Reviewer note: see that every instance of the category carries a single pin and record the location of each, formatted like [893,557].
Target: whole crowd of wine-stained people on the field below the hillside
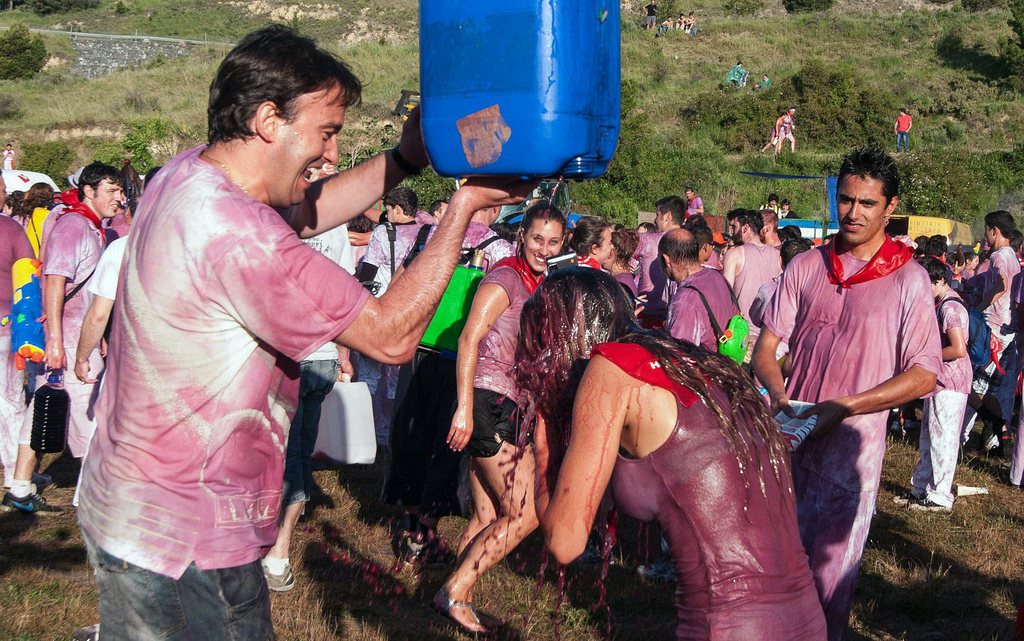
[600,369]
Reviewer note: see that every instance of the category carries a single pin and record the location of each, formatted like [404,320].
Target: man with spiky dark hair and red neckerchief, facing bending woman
[859,317]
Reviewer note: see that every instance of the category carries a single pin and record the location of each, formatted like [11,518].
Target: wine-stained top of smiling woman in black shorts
[497,352]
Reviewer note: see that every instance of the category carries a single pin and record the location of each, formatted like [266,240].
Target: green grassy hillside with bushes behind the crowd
[847,71]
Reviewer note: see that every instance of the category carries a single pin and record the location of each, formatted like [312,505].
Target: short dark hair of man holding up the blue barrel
[273,65]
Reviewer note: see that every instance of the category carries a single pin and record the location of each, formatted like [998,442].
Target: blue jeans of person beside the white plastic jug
[317,381]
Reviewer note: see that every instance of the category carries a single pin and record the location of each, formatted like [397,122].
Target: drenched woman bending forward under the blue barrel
[680,436]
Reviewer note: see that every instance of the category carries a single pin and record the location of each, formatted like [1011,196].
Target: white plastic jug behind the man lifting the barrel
[347,428]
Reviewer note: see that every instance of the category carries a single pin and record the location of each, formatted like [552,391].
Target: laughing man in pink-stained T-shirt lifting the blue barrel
[219,303]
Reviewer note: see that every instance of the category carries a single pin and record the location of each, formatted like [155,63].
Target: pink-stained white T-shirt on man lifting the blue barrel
[219,302]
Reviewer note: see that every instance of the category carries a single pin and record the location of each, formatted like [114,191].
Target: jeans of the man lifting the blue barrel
[136,605]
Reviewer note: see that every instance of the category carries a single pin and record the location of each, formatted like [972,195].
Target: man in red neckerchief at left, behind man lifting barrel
[74,245]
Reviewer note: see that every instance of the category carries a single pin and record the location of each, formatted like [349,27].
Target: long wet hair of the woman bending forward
[576,310]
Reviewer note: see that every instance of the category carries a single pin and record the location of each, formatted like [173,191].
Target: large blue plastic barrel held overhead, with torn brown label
[521,88]
